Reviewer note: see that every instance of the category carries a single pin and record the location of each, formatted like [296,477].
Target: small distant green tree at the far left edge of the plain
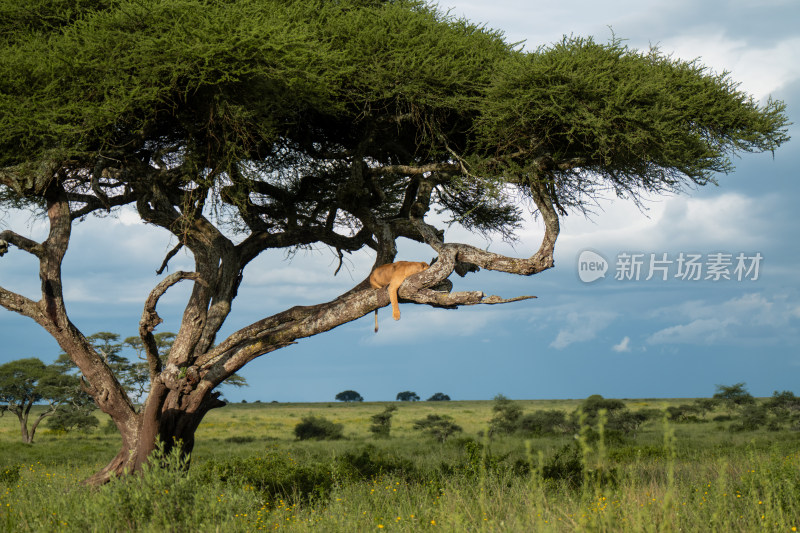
[26,382]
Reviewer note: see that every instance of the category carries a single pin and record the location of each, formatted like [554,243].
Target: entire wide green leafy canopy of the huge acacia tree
[271,85]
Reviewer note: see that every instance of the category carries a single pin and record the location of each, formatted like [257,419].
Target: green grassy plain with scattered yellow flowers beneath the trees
[248,474]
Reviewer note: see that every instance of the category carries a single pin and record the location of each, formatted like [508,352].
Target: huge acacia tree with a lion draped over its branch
[249,126]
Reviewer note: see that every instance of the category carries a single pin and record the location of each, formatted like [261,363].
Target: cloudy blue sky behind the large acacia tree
[606,321]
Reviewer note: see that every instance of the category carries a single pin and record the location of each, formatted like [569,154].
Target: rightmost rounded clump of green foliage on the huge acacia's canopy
[633,120]
